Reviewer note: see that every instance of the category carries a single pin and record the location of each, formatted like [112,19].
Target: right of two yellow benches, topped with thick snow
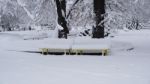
[91,46]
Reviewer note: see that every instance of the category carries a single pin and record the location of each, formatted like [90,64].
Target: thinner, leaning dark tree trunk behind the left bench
[61,9]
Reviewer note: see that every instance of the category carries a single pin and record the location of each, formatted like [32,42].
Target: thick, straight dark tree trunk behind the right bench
[99,10]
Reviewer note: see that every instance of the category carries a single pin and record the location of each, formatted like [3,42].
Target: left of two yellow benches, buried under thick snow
[57,46]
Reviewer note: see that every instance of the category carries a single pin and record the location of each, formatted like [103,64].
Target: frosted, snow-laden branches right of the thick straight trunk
[124,14]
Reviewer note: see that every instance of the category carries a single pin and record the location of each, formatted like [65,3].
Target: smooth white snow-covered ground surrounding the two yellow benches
[128,62]
